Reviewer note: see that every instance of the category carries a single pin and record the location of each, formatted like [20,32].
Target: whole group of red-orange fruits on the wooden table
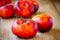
[25,28]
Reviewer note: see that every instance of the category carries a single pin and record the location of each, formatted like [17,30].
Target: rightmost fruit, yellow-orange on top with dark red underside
[43,21]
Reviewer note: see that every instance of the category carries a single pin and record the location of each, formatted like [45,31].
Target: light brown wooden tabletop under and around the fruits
[47,7]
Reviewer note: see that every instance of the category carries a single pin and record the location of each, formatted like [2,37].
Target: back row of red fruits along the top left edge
[23,8]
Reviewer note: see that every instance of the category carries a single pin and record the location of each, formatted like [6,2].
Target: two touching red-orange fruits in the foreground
[25,28]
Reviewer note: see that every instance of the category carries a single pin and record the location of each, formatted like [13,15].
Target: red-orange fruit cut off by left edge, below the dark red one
[6,11]
